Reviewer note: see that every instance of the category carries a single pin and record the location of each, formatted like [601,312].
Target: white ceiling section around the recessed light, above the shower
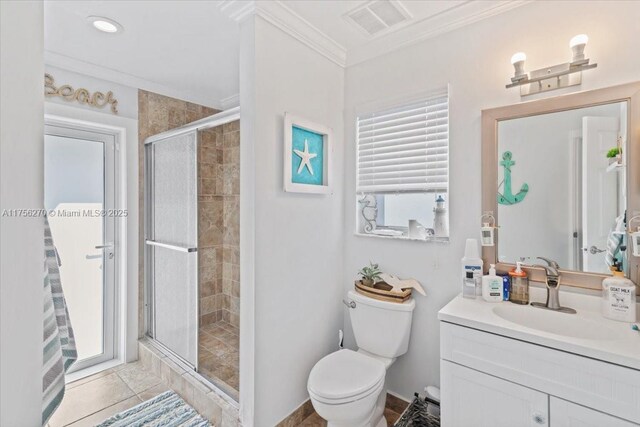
[178,47]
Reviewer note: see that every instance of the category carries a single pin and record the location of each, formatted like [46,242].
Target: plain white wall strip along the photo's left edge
[21,187]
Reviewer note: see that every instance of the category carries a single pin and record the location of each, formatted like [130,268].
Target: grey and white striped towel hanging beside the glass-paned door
[59,346]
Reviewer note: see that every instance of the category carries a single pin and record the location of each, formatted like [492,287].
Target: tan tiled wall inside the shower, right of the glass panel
[219,215]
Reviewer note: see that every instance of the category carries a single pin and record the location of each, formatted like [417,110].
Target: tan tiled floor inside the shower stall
[219,355]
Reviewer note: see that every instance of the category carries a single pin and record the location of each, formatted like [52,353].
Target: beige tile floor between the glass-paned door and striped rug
[93,399]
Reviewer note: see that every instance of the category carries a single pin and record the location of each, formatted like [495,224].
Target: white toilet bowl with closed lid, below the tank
[346,389]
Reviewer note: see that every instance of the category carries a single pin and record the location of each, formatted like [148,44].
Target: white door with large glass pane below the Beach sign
[79,183]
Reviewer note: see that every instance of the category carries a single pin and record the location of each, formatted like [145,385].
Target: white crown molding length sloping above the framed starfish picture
[279,15]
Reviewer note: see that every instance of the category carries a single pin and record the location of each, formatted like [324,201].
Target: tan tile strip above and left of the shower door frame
[157,113]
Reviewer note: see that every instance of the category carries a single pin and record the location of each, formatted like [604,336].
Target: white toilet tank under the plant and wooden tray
[381,328]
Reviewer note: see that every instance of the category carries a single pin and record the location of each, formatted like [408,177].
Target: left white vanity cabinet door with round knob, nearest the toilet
[473,399]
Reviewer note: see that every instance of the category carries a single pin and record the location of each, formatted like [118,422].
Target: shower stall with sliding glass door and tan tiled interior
[191,245]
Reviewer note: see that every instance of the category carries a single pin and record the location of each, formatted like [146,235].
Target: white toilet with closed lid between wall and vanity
[347,388]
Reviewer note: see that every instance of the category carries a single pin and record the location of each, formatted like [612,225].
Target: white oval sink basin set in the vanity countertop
[568,325]
